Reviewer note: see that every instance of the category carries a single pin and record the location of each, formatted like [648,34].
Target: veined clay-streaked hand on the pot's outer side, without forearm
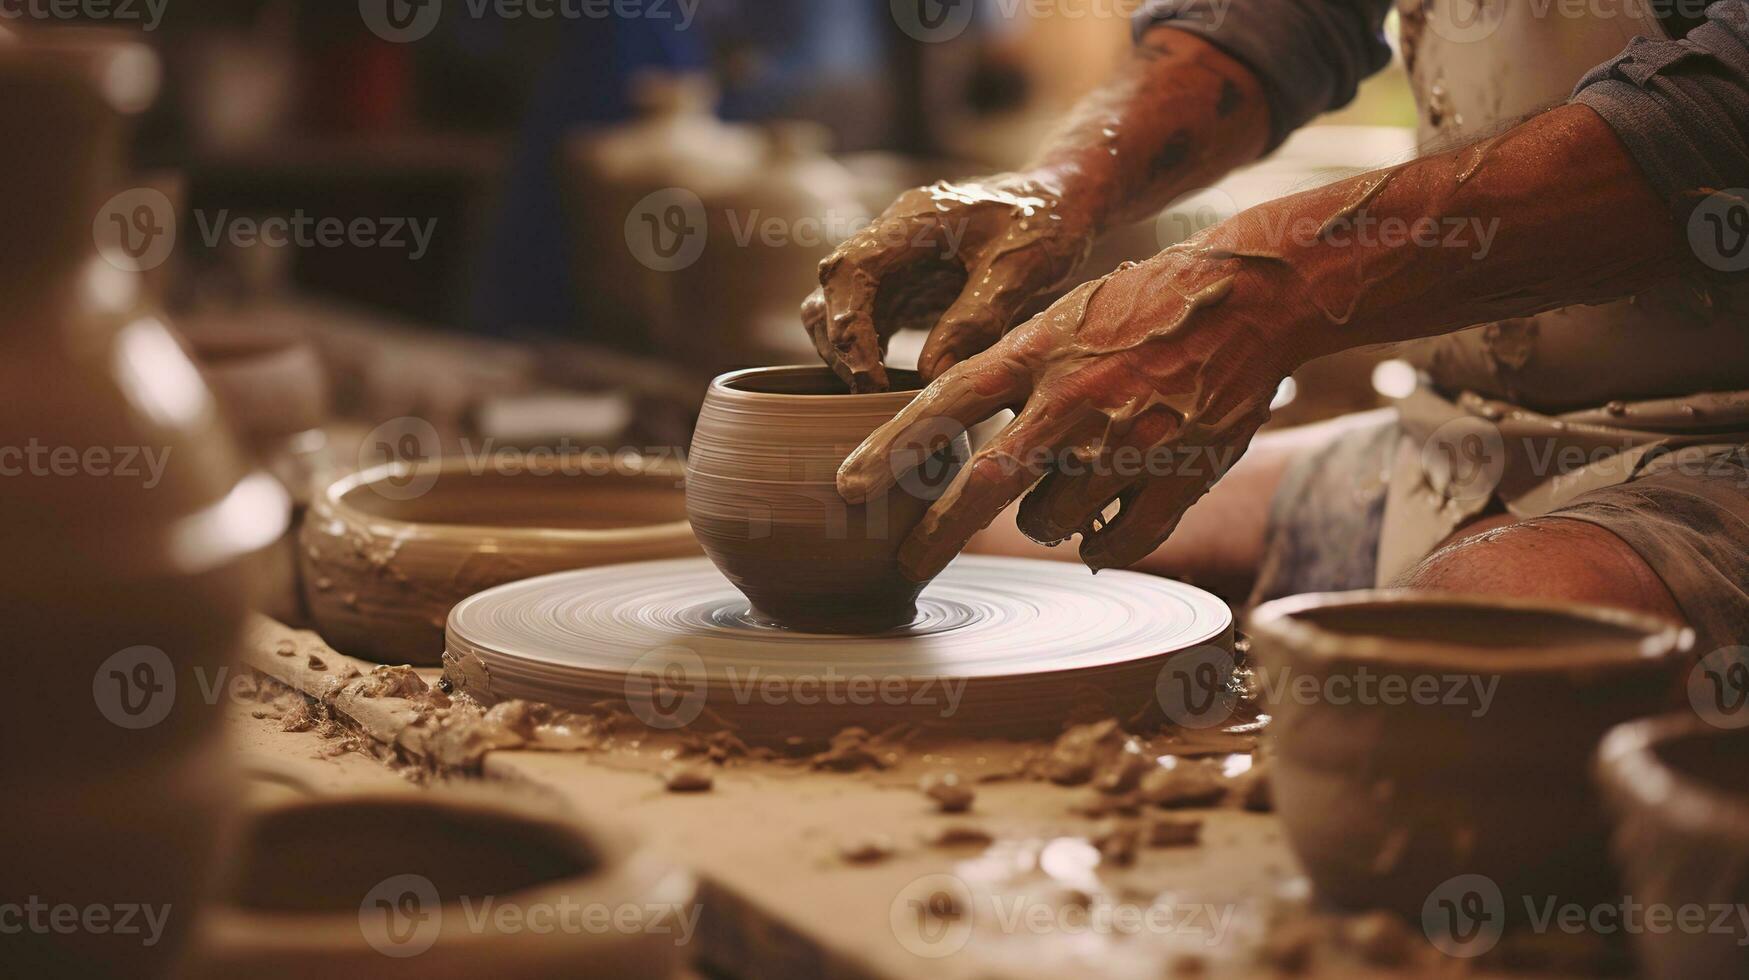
[1139,388]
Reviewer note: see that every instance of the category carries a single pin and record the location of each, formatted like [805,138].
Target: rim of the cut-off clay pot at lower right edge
[1636,776]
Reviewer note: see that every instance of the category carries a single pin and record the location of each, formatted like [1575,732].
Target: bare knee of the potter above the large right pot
[1547,559]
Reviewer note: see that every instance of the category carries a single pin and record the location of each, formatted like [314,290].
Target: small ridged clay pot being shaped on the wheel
[763,500]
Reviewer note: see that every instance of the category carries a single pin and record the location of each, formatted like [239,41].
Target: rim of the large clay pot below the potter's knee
[1643,638]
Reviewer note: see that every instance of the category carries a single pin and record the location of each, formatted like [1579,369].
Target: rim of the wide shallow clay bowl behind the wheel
[632,468]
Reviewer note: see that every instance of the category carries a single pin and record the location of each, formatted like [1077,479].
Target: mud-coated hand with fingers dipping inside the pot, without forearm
[959,260]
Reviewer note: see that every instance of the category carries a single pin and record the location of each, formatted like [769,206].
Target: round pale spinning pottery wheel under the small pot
[1000,647]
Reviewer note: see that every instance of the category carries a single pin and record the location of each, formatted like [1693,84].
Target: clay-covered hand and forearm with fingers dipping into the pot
[963,260]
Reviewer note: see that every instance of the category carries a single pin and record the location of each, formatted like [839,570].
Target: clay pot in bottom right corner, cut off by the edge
[1680,794]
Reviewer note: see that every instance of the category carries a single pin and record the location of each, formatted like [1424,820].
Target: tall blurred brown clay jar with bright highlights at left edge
[125,580]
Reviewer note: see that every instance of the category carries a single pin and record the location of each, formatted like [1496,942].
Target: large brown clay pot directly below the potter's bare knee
[1398,771]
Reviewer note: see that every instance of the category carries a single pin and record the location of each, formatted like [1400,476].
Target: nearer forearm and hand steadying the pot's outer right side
[1173,363]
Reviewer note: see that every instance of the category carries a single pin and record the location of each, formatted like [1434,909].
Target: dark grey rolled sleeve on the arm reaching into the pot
[1311,55]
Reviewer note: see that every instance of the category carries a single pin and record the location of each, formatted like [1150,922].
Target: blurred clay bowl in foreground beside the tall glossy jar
[433,886]
